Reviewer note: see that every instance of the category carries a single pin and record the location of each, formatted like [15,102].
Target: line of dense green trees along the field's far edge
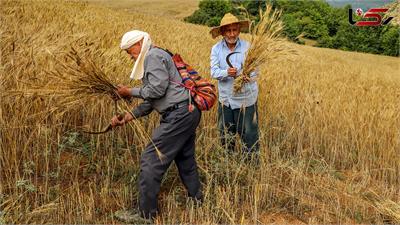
[314,20]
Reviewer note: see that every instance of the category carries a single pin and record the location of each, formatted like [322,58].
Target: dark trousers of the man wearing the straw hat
[242,121]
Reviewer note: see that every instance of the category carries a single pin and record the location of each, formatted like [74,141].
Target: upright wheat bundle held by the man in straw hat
[267,44]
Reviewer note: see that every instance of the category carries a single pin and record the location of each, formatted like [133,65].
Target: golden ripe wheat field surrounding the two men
[329,122]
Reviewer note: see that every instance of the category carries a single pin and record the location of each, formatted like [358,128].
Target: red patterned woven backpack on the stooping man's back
[203,92]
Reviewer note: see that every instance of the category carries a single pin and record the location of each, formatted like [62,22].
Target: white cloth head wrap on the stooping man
[130,38]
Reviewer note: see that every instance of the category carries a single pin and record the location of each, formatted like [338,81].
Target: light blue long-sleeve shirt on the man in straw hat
[219,70]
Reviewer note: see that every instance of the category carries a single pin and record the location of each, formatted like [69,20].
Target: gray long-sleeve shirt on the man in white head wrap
[160,89]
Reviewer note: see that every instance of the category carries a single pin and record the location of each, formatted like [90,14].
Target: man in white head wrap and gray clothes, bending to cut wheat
[174,137]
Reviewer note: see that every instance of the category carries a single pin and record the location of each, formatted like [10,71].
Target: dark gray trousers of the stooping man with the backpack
[175,140]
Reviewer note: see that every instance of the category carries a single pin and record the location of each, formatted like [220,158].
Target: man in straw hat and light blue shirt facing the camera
[237,112]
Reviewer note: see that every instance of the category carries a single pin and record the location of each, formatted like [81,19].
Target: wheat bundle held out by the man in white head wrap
[71,82]
